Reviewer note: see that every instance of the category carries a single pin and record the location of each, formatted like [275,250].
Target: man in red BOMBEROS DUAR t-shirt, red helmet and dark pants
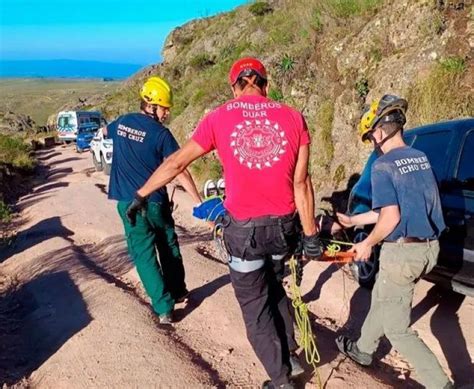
[263,146]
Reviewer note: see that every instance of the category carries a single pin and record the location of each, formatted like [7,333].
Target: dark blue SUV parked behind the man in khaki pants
[450,149]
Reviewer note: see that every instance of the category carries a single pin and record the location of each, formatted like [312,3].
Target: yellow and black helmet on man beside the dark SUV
[388,109]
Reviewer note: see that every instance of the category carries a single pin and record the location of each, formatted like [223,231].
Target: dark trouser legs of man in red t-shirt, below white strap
[267,315]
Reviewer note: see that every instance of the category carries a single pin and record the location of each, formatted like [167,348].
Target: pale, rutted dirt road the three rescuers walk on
[75,315]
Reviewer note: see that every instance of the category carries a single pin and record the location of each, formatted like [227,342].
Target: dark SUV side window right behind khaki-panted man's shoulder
[435,146]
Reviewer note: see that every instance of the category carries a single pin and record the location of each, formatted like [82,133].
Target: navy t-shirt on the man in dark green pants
[140,146]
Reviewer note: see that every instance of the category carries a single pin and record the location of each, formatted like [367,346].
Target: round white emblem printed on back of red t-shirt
[258,144]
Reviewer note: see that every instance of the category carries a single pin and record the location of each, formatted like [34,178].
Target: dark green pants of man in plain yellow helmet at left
[163,280]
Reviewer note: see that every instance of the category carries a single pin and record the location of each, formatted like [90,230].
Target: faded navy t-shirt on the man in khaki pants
[404,177]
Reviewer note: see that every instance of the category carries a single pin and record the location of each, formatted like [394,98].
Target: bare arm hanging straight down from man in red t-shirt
[304,197]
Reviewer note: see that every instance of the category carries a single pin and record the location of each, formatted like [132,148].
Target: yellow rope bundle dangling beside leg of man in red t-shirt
[307,340]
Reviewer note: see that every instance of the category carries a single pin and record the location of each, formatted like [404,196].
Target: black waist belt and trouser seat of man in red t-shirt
[257,238]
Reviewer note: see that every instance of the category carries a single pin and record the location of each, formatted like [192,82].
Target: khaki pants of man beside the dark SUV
[401,266]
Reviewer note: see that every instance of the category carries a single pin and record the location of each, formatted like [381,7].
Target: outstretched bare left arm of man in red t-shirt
[171,167]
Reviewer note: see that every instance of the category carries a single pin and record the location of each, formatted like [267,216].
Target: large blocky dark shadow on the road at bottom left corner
[35,321]
